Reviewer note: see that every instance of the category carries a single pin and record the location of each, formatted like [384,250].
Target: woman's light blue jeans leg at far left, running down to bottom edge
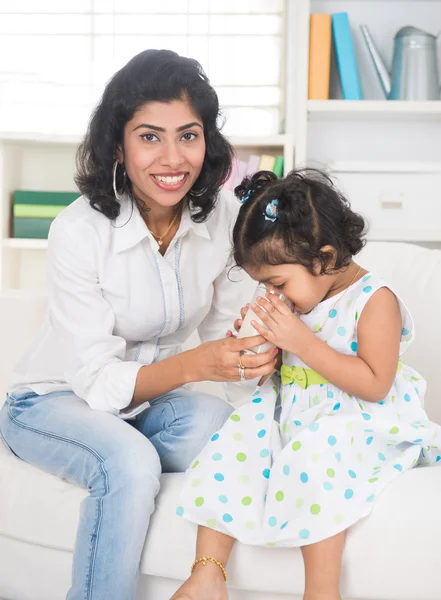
[120,468]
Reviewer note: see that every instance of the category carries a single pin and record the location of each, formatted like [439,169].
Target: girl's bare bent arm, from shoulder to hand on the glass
[370,374]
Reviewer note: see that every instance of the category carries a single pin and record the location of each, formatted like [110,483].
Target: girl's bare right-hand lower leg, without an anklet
[322,568]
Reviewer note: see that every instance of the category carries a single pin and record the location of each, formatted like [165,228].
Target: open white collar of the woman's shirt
[131,229]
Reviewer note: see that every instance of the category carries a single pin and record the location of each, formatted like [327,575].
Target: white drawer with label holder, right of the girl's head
[400,201]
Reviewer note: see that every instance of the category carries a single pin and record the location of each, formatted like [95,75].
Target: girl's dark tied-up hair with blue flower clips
[312,214]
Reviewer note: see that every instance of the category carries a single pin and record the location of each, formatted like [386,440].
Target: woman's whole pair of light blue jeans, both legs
[119,463]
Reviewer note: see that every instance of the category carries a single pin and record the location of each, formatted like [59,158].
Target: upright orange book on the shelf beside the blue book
[319,56]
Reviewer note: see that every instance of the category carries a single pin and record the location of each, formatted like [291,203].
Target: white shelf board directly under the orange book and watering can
[374,109]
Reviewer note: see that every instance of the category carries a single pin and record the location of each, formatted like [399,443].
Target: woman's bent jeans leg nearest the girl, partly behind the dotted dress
[180,423]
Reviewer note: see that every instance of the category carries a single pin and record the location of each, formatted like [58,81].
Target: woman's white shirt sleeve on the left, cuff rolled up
[84,321]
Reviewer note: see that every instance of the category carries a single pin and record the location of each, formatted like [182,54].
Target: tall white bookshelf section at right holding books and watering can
[399,205]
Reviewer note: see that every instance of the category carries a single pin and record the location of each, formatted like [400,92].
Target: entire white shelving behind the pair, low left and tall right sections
[317,133]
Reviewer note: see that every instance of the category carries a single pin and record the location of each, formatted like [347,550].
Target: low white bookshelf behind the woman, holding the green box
[41,162]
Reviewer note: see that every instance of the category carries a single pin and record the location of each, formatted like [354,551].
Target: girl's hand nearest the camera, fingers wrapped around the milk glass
[285,329]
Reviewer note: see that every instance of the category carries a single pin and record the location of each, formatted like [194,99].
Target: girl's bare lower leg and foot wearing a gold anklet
[207,582]
